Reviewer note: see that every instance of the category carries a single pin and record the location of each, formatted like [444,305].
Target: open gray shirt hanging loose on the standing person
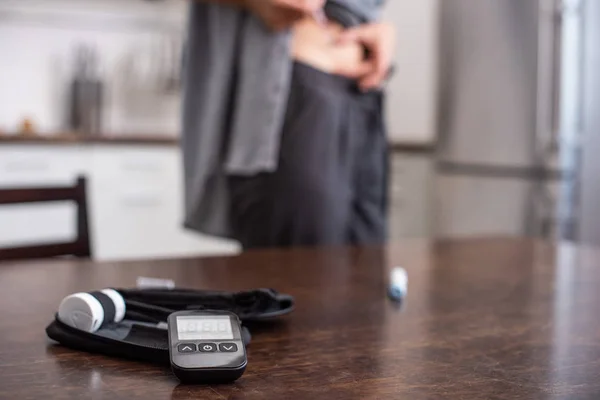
[236,83]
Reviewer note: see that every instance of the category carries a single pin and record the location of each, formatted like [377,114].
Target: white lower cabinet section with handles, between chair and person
[137,203]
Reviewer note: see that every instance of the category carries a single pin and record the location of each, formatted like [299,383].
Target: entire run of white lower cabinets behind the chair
[134,195]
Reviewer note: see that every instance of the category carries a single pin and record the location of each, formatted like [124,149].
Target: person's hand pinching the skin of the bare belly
[379,39]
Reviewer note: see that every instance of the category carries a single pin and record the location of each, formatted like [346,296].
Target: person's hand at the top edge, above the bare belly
[281,14]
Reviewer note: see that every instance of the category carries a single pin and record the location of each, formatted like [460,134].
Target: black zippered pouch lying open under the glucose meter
[142,335]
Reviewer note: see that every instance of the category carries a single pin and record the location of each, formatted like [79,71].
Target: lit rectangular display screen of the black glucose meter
[204,328]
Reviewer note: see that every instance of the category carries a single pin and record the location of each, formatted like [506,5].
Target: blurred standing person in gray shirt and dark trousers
[284,140]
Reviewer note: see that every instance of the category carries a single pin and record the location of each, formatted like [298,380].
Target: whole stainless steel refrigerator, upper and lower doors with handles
[509,117]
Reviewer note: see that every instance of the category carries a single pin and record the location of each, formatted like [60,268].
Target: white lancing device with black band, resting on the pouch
[83,311]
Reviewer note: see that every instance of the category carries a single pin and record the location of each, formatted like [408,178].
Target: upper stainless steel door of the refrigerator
[491,55]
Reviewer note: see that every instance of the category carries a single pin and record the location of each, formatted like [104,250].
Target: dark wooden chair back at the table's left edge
[79,248]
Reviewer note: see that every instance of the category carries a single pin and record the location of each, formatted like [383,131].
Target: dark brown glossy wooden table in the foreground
[484,319]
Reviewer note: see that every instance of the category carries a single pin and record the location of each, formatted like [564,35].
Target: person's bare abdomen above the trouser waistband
[316,46]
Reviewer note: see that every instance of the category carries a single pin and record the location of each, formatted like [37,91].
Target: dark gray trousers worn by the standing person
[330,187]
